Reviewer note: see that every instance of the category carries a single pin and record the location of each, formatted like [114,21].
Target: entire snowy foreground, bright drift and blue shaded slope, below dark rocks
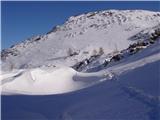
[128,90]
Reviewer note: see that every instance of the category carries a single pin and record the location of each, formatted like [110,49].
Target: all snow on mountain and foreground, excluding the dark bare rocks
[41,83]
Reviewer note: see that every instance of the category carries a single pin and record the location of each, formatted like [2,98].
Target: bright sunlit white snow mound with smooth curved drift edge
[49,81]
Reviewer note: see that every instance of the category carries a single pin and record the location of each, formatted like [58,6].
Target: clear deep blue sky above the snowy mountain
[21,20]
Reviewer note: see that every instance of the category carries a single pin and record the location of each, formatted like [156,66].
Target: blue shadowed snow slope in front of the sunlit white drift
[132,93]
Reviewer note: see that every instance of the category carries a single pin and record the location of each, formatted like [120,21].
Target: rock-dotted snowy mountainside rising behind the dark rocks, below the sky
[83,34]
